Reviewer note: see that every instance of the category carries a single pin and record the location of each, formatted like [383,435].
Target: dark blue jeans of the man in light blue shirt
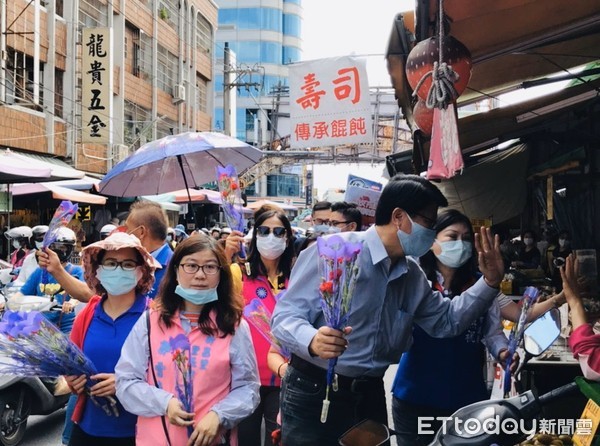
[301,402]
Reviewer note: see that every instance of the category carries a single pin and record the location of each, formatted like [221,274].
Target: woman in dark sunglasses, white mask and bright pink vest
[264,275]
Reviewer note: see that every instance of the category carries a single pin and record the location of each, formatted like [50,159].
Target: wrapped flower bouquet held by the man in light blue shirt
[339,271]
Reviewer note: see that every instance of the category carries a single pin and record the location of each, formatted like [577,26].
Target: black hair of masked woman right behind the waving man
[464,274]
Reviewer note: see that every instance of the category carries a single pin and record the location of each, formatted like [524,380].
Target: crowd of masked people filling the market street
[160,310]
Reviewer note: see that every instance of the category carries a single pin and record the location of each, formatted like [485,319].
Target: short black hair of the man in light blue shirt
[411,193]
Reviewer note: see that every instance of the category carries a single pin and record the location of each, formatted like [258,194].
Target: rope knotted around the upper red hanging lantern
[443,77]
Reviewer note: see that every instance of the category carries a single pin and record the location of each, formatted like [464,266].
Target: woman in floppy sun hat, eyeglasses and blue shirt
[121,273]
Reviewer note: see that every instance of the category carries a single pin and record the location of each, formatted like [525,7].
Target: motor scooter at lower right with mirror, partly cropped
[484,423]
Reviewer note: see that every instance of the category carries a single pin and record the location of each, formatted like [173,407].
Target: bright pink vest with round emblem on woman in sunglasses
[261,288]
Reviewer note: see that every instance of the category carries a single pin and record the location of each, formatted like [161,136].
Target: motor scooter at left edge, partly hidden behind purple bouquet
[21,396]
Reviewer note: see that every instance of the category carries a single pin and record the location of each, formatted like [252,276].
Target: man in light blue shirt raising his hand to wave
[391,294]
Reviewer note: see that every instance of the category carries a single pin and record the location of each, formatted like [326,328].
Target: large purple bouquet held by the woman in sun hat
[30,345]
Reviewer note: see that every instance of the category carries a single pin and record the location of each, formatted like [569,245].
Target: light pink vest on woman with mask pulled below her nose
[211,377]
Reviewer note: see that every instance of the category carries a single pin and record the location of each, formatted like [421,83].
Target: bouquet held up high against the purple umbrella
[231,198]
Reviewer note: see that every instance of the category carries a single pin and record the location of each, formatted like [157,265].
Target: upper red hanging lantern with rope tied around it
[425,53]
